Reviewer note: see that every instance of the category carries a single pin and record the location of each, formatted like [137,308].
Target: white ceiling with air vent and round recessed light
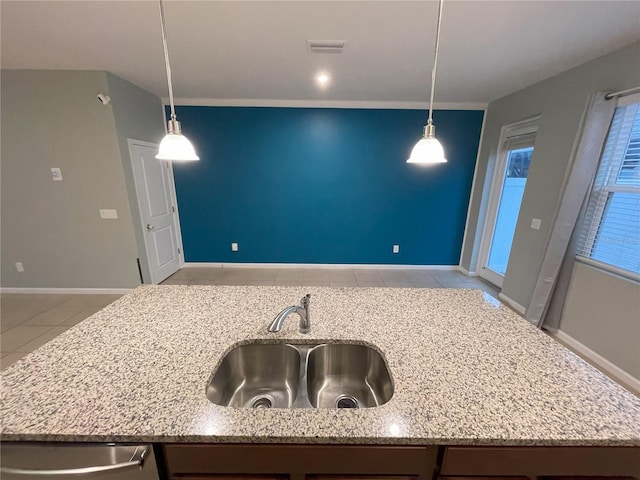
[253,52]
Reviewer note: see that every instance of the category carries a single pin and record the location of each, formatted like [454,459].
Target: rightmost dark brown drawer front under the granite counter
[536,461]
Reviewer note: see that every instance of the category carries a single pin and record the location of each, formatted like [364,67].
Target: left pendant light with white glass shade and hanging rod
[174,146]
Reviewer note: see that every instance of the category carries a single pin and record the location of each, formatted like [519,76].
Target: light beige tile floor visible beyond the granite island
[28,321]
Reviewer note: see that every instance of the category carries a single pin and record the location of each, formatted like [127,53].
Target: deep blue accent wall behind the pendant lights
[313,185]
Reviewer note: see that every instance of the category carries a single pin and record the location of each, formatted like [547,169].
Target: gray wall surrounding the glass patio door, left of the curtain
[560,101]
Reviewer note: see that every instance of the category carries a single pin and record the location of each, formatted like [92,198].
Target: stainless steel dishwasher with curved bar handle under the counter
[26,461]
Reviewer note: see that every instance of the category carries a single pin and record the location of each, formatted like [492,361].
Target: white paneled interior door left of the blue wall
[157,212]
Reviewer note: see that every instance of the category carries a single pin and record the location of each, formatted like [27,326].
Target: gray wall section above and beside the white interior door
[138,115]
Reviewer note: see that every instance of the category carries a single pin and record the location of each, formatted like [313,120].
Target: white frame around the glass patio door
[523,127]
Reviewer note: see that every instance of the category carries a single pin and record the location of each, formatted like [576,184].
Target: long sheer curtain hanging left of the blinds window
[552,284]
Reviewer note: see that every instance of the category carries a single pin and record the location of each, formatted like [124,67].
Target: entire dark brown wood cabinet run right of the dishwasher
[371,462]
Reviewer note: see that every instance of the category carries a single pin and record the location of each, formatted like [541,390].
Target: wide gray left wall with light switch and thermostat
[53,119]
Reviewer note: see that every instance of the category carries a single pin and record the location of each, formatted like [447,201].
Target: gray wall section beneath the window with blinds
[602,311]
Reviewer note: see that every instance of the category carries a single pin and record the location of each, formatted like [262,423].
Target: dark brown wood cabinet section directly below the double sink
[299,462]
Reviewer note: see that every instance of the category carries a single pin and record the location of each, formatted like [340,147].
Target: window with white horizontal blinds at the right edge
[611,232]
